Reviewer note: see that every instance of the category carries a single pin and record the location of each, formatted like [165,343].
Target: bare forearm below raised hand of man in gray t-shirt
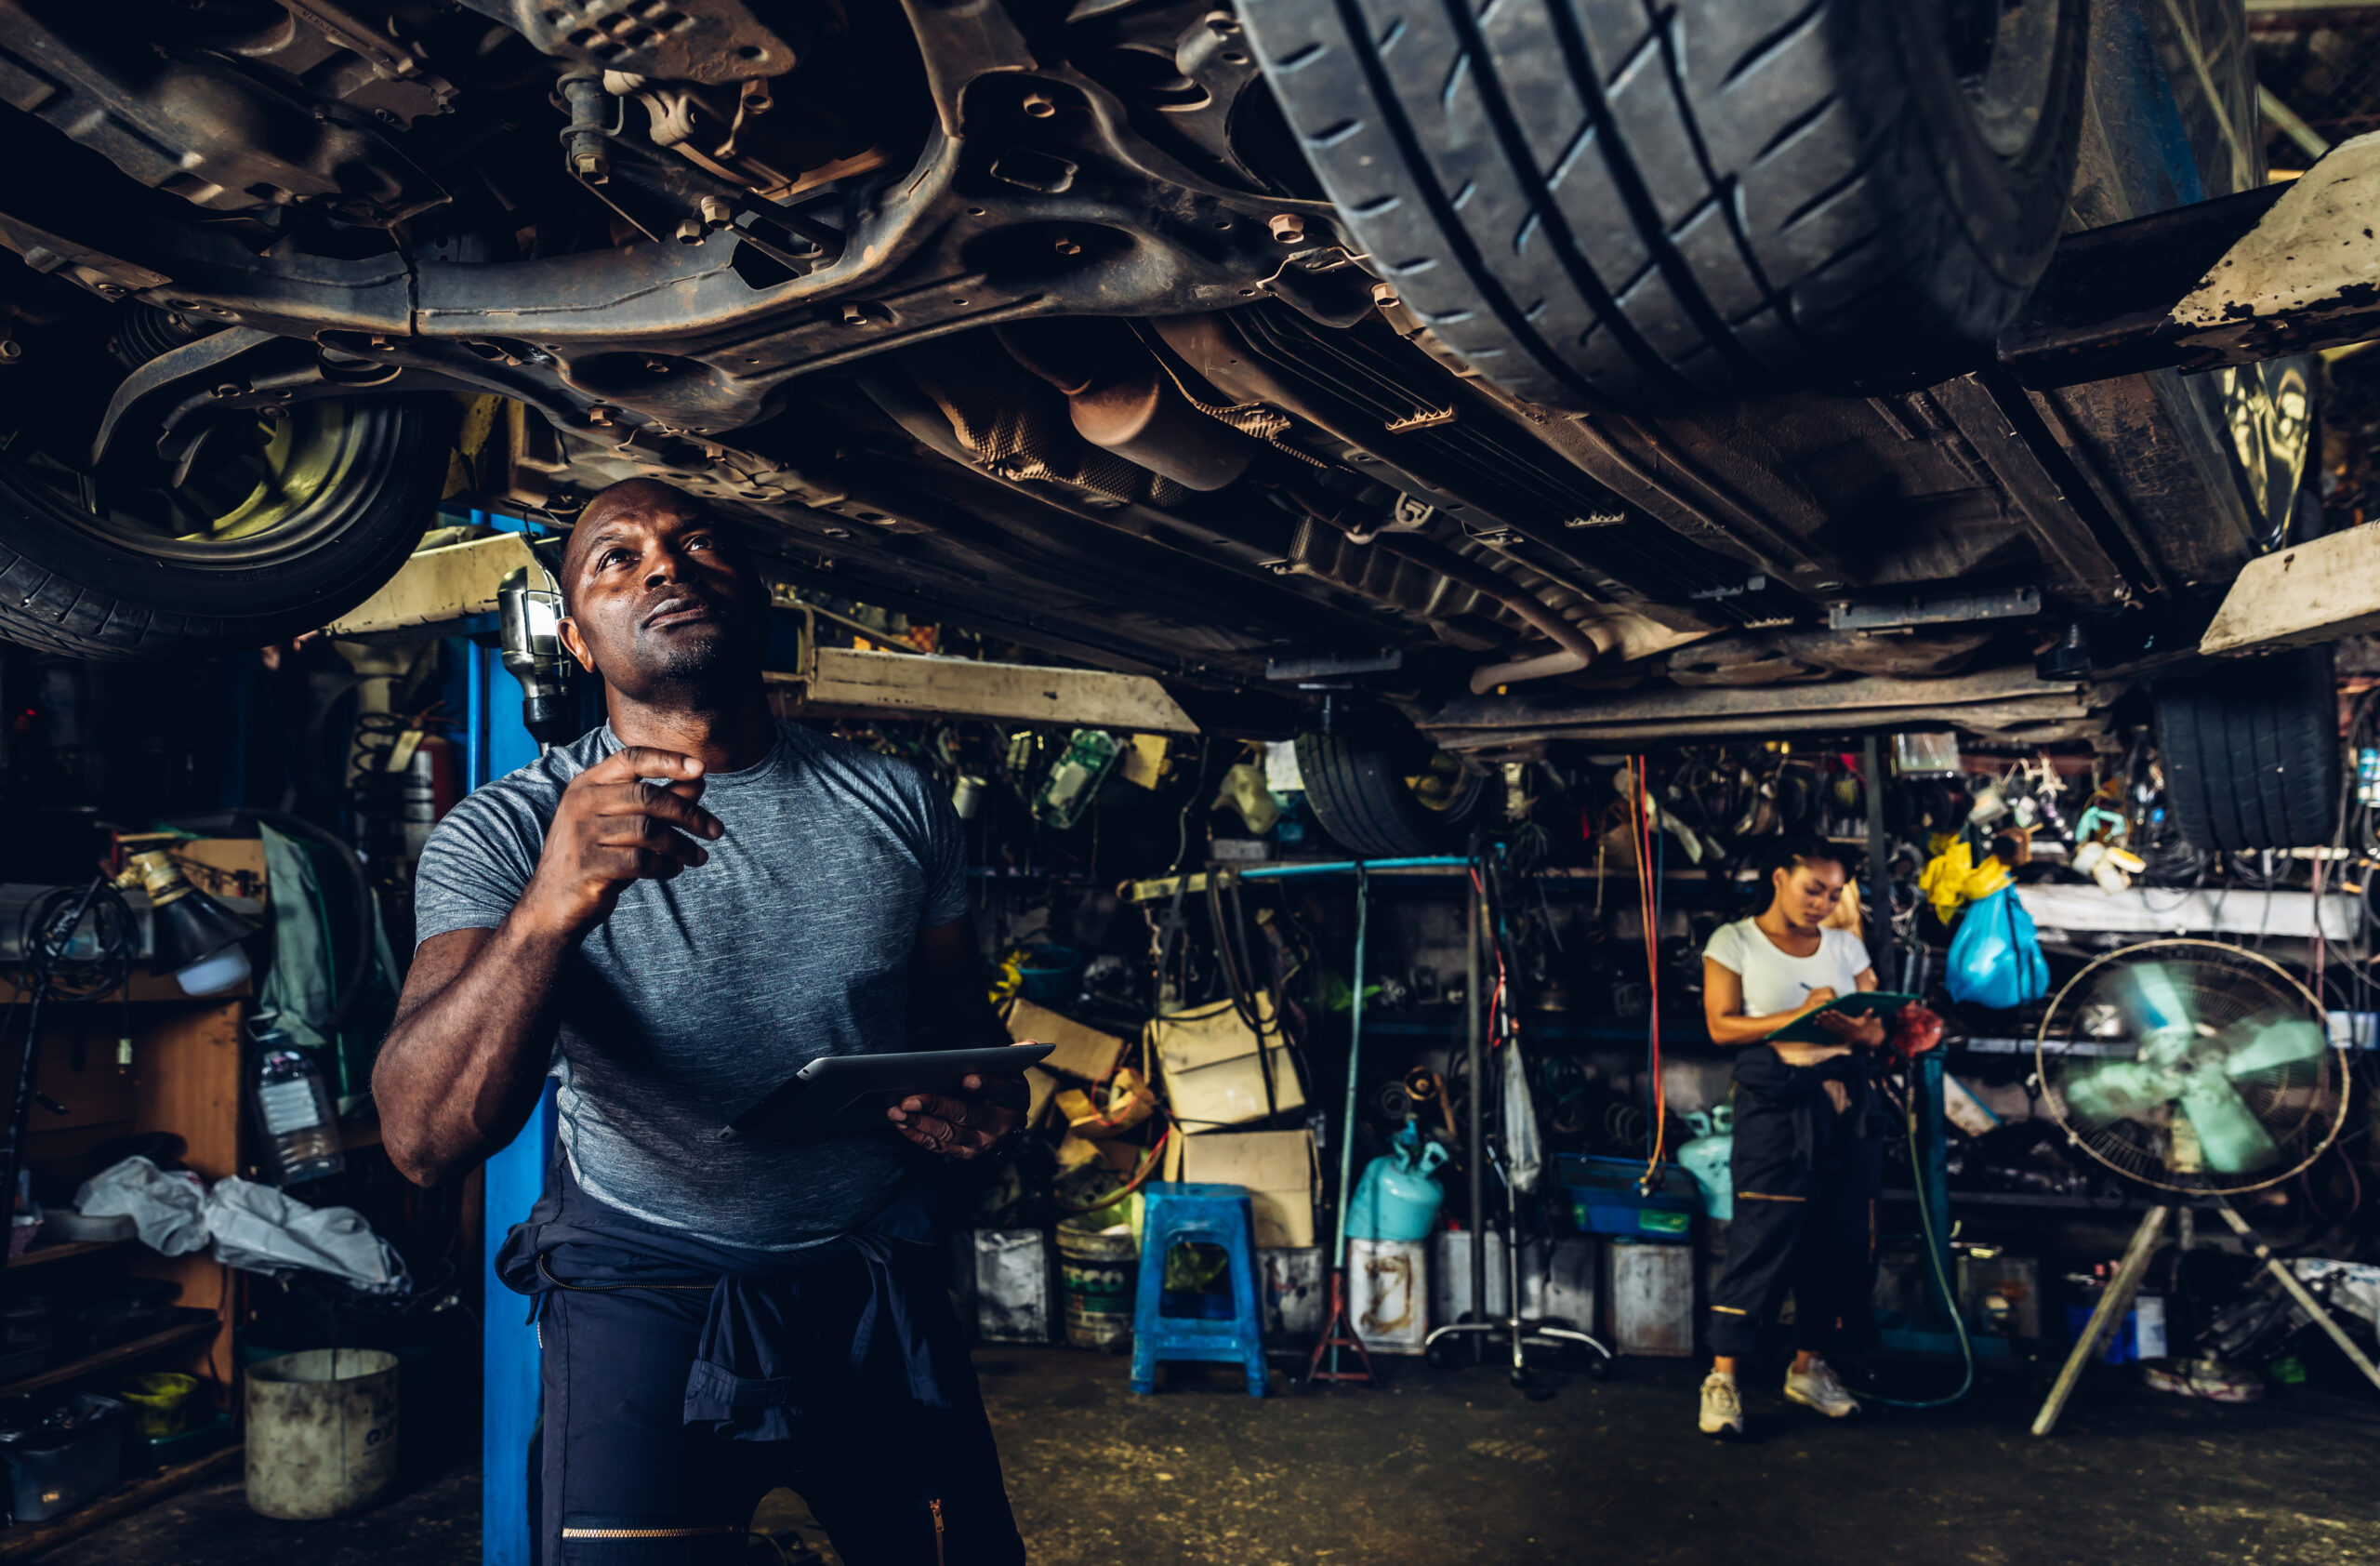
[465,1063]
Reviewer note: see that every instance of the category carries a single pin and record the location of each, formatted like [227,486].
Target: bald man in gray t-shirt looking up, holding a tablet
[672,917]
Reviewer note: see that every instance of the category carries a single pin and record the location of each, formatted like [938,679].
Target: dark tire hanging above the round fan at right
[2253,753]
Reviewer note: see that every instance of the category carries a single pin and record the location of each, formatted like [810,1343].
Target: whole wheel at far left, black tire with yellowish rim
[273,530]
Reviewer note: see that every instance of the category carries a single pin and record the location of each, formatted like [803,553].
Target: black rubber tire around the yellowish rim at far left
[92,591]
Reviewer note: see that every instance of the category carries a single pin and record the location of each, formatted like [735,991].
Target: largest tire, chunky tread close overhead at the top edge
[1624,206]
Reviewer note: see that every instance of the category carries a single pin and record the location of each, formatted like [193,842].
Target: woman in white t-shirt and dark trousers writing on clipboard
[1805,1165]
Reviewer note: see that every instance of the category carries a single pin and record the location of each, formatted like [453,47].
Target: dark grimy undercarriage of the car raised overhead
[1075,325]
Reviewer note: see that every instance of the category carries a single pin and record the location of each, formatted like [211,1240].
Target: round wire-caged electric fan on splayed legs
[2193,1070]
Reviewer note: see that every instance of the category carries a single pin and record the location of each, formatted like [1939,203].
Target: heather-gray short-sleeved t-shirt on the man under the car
[703,994]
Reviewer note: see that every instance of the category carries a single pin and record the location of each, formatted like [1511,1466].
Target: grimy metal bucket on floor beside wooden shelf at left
[322,1432]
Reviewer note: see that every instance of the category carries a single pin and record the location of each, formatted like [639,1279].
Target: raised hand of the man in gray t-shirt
[610,829]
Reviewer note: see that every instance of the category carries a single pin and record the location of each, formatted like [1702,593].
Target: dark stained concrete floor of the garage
[1455,1467]
